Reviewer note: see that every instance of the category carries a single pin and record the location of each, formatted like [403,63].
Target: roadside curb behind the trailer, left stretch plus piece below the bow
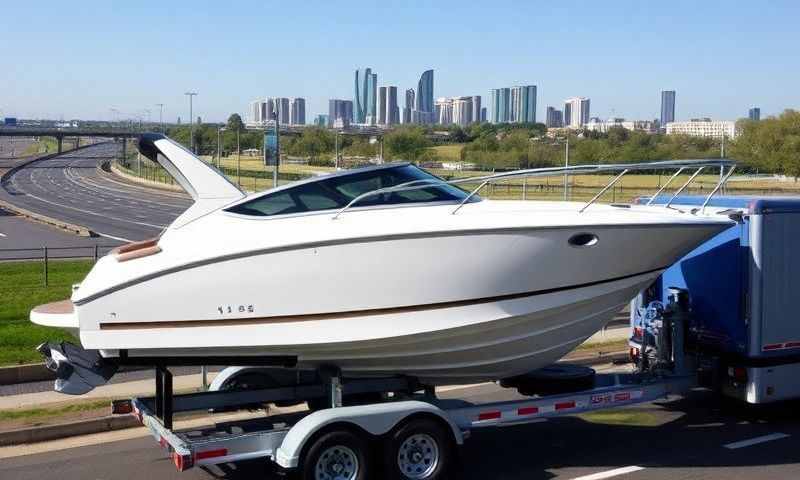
[120,422]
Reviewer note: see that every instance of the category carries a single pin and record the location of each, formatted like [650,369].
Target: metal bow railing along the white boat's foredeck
[680,165]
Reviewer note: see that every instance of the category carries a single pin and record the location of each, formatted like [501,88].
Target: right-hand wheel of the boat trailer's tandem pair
[420,449]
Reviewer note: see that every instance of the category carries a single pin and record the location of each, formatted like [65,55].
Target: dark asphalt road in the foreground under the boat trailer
[683,439]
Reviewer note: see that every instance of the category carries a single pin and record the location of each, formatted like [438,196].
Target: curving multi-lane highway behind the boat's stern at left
[70,188]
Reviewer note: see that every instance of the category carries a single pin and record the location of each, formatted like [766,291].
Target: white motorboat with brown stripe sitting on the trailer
[381,270]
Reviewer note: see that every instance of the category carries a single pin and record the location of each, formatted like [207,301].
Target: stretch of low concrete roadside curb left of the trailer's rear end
[64,430]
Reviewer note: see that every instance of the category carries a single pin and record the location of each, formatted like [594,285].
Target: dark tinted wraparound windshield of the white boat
[337,191]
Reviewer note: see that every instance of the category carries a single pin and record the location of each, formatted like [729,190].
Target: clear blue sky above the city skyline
[81,59]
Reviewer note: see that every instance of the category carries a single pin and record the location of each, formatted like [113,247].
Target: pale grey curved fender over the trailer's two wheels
[376,419]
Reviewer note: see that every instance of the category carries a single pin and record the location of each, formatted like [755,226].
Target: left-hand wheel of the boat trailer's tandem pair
[337,455]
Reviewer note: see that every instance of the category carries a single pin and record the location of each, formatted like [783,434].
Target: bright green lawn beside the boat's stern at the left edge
[21,289]
